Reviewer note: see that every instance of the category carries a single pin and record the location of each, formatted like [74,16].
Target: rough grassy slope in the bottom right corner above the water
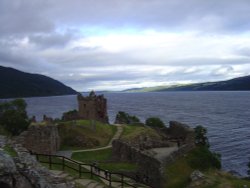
[177,174]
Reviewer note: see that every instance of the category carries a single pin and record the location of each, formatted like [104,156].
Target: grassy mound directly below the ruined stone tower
[83,134]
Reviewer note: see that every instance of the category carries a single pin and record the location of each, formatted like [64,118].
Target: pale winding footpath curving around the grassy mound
[68,153]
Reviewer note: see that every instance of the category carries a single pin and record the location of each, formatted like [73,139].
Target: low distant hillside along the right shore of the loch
[236,84]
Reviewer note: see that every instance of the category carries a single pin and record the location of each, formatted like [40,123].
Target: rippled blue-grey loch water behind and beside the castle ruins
[226,115]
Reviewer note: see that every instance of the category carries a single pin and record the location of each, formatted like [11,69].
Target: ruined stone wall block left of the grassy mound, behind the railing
[42,139]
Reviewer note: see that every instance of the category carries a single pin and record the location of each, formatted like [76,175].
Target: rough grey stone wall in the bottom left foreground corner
[24,171]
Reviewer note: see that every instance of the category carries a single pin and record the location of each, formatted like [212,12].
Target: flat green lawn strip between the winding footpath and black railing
[92,156]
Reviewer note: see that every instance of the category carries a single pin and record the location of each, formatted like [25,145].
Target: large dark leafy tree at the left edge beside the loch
[13,116]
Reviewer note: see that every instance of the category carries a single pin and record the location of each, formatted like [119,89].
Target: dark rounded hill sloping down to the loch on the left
[14,83]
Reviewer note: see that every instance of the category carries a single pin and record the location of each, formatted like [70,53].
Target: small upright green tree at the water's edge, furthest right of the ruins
[200,136]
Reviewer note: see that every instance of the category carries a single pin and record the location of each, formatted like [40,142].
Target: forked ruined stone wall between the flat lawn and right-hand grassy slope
[150,169]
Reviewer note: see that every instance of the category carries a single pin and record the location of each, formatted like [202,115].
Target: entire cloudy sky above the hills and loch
[119,44]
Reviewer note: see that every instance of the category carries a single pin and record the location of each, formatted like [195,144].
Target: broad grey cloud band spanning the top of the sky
[43,16]
